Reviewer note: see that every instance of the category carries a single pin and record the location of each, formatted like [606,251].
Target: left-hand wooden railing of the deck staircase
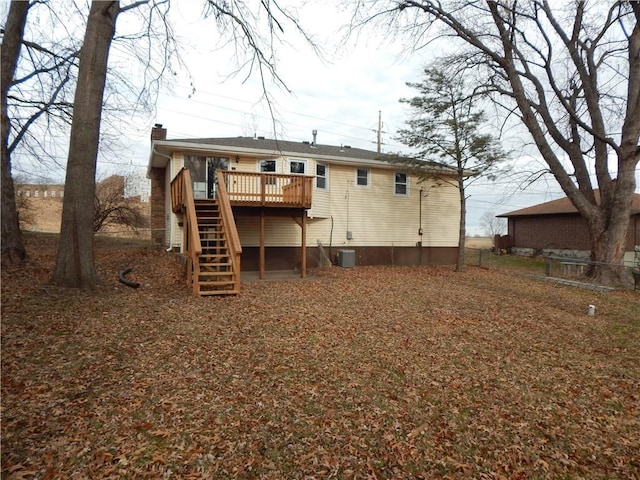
[182,201]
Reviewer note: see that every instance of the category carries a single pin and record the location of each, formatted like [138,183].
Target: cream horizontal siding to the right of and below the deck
[374,215]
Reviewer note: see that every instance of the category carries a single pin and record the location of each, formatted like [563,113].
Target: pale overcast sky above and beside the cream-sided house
[340,96]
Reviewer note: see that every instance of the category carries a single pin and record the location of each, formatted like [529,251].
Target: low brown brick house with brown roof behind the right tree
[557,227]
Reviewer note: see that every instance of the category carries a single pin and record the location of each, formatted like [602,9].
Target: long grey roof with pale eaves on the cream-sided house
[268,148]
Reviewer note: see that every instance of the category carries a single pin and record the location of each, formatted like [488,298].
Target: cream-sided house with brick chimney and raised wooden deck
[293,204]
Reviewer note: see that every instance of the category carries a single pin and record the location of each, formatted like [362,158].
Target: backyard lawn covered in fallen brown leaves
[353,373]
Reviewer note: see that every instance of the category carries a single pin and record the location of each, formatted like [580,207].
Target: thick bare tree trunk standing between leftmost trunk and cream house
[75,263]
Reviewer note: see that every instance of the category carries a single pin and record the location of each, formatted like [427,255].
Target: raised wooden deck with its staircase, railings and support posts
[210,237]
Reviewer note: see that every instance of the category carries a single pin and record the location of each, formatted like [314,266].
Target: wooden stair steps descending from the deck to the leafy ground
[215,275]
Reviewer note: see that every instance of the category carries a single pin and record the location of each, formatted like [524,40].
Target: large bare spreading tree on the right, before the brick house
[570,73]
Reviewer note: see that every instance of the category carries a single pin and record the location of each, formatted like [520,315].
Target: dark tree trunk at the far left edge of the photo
[13,251]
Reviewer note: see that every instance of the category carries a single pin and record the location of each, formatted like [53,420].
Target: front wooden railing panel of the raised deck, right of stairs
[268,189]
